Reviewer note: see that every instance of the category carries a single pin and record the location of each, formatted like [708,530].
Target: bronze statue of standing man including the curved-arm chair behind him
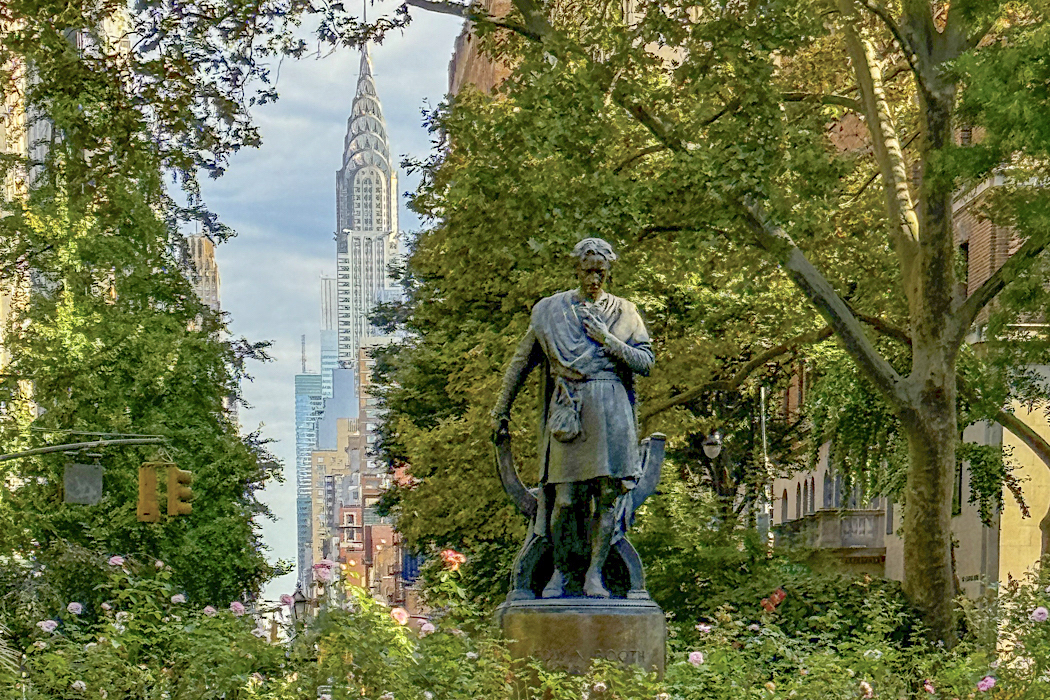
[594,474]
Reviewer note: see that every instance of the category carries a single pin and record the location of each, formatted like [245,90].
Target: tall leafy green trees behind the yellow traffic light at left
[102,331]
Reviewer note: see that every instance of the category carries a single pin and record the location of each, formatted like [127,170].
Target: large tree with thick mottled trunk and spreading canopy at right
[728,105]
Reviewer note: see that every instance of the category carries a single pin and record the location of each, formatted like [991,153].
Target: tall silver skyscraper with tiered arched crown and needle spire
[367,229]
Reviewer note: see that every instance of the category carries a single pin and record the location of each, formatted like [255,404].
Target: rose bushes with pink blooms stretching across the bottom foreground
[148,646]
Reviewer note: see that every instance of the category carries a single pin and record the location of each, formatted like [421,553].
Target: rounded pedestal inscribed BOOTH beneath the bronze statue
[569,633]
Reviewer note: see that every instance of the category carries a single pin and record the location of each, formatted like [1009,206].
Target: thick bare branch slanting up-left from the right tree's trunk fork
[831,306]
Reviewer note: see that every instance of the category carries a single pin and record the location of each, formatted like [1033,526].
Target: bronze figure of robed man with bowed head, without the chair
[593,345]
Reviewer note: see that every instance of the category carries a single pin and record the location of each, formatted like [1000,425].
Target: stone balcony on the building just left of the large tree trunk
[855,537]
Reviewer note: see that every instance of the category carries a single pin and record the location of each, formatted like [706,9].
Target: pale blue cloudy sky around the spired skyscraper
[281,201]
